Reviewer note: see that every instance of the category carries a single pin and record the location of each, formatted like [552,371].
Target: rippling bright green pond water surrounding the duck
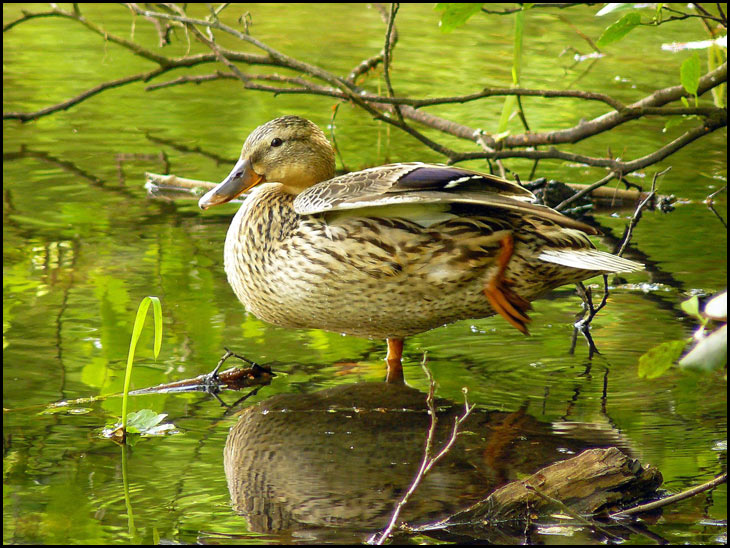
[82,245]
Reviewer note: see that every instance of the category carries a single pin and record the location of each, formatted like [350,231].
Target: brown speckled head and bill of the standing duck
[288,150]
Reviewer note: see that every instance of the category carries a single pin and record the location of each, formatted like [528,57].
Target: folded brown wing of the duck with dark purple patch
[427,185]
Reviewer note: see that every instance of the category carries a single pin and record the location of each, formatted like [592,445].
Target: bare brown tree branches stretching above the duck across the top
[314,80]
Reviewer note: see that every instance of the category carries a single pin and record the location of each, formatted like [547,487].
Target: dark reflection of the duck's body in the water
[342,457]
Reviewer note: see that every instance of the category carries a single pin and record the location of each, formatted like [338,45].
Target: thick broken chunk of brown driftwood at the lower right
[593,482]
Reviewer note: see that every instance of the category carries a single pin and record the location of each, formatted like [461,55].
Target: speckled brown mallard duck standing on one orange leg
[393,250]
